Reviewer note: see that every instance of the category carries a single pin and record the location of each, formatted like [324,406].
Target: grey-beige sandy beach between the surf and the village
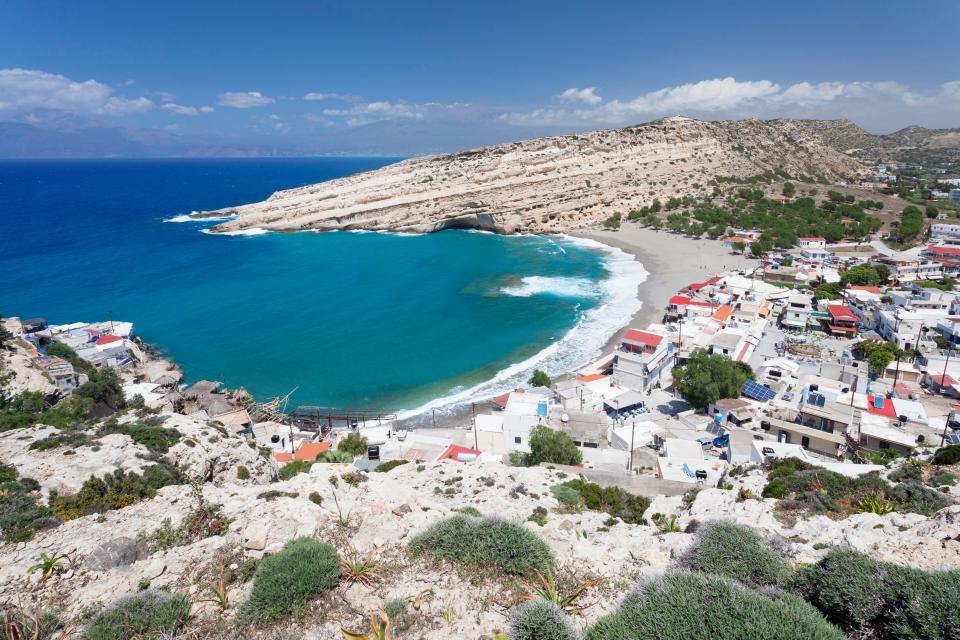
[673,261]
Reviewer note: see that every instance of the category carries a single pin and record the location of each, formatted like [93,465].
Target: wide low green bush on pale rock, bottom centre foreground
[486,542]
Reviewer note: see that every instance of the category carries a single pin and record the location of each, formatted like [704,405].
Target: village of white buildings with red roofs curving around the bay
[817,392]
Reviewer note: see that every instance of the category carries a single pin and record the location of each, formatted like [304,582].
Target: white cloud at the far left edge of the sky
[24,90]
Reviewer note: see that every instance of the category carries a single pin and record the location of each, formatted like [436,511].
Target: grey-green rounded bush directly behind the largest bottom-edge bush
[737,552]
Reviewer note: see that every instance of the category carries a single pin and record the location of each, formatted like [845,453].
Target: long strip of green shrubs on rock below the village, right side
[811,489]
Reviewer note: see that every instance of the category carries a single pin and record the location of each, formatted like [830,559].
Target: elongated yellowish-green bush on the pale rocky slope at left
[114,491]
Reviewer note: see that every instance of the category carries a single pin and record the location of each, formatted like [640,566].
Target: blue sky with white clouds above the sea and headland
[410,77]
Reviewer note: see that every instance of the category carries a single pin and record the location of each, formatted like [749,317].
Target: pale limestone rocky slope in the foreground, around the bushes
[121,551]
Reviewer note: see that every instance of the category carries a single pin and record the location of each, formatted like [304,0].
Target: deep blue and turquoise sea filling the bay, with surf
[349,319]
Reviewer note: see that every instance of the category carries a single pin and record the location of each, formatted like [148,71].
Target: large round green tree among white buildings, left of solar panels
[707,378]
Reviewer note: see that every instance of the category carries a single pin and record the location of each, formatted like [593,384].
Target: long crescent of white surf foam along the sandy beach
[580,345]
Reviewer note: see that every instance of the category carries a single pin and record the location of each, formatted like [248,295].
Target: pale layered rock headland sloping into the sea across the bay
[553,184]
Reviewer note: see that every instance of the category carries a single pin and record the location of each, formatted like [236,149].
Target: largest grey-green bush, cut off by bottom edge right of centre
[683,605]
